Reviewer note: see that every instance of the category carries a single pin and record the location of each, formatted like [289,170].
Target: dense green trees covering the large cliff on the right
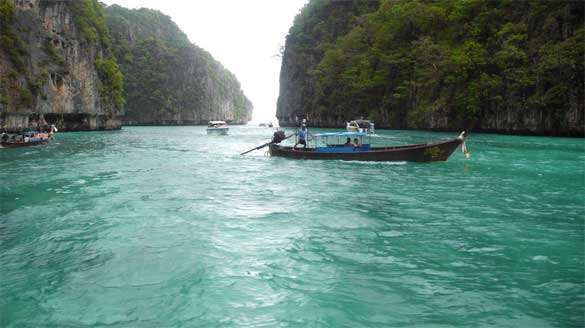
[490,65]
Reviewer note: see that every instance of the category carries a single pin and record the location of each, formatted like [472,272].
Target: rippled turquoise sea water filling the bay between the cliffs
[169,227]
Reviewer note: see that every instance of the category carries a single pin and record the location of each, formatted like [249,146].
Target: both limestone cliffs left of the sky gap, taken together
[58,66]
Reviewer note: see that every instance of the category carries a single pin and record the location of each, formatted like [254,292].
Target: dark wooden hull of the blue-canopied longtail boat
[438,151]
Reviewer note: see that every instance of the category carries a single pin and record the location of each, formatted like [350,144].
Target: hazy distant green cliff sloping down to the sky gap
[168,80]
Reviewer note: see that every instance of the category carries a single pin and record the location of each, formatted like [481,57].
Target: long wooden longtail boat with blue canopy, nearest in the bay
[329,146]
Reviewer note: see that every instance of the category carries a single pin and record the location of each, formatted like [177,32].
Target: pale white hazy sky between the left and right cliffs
[243,35]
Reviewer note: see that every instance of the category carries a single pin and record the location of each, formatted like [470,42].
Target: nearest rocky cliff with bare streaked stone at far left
[48,72]
